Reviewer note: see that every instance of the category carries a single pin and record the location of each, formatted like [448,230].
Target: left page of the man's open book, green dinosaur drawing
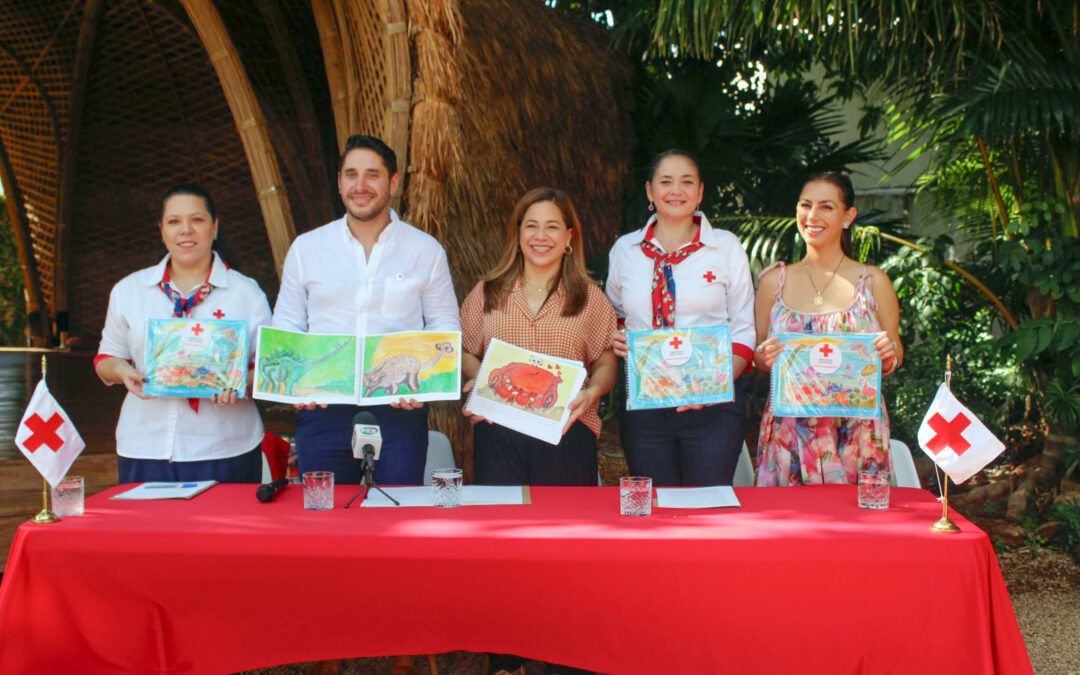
[296,368]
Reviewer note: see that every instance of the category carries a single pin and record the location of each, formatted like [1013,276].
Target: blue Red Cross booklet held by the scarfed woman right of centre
[672,368]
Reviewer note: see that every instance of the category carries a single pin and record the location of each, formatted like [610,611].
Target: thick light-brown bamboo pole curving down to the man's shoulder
[251,125]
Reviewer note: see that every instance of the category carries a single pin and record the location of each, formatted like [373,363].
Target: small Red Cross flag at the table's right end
[955,439]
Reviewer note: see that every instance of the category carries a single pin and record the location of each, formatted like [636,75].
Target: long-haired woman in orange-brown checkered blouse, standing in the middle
[539,298]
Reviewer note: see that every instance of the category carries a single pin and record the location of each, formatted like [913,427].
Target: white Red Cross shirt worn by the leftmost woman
[167,428]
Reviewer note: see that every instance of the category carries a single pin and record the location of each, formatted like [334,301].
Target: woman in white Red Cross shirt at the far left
[170,439]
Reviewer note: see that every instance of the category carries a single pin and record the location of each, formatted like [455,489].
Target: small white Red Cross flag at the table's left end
[47,436]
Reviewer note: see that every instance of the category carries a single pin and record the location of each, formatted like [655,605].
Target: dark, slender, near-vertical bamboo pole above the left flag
[88,35]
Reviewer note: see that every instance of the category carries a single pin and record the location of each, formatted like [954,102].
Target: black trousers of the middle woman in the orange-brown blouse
[503,456]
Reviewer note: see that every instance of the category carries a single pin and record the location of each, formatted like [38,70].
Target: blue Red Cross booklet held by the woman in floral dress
[827,376]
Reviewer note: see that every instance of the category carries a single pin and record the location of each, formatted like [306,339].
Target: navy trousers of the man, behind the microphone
[325,438]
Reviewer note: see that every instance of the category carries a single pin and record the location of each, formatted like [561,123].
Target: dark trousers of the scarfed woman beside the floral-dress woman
[695,448]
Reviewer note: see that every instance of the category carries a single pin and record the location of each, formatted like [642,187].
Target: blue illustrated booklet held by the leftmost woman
[196,359]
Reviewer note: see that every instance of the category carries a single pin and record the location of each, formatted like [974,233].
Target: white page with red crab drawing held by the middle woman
[526,391]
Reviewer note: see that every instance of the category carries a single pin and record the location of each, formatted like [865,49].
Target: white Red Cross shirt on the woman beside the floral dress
[713,286]
